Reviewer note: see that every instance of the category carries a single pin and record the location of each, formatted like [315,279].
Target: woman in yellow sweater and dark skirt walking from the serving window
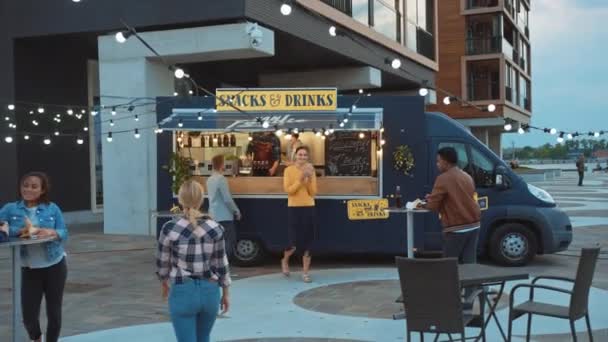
[300,183]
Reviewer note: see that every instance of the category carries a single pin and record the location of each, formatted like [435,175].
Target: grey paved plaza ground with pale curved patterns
[111,284]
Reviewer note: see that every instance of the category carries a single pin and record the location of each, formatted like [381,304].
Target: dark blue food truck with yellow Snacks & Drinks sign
[362,149]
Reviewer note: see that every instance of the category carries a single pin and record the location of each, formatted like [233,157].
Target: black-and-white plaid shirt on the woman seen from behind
[185,250]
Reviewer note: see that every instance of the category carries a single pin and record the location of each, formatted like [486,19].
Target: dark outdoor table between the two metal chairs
[476,275]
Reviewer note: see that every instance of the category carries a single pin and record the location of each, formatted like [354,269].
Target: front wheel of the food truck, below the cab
[513,244]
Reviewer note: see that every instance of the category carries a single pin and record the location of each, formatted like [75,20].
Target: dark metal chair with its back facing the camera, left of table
[432,298]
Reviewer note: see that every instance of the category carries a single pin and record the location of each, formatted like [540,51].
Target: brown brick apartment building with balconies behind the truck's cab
[484,58]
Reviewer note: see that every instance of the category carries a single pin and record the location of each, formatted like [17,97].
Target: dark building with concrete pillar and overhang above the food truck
[64,53]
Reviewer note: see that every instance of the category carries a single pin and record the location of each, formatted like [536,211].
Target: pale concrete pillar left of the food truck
[129,164]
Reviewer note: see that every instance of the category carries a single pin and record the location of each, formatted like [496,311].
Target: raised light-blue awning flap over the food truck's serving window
[205,119]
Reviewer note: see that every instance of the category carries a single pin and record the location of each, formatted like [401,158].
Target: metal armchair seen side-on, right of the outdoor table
[579,297]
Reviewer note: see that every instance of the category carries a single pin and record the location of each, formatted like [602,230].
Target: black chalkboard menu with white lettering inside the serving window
[346,154]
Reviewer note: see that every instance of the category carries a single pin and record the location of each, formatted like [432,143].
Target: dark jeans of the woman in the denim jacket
[36,282]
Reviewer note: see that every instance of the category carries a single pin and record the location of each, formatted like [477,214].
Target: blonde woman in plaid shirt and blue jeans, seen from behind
[192,257]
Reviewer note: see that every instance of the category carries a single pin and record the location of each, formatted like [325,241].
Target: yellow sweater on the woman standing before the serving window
[299,194]
